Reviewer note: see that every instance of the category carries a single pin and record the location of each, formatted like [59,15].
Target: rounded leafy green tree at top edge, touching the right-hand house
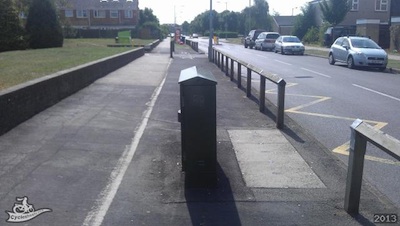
[334,11]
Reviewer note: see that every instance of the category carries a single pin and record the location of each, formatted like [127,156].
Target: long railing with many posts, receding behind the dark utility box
[218,58]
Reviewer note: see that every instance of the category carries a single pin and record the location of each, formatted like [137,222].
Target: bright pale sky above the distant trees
[170,11]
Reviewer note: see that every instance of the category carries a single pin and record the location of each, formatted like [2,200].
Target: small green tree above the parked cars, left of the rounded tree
[304,21]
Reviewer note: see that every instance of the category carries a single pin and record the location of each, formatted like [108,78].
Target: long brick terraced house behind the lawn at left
[100,14]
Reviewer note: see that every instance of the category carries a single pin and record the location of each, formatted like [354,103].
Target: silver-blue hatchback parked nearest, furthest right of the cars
[358,52]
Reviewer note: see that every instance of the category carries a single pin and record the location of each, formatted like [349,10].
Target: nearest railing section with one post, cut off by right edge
[361,133]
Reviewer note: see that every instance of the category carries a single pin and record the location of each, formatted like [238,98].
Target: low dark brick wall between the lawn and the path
[22,102]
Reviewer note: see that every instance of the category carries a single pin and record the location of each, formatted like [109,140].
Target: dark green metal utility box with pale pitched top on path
[198,128]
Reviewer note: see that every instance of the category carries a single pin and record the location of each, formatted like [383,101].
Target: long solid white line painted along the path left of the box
[96,216]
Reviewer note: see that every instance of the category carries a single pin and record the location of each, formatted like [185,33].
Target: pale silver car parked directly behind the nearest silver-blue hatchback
[289,44]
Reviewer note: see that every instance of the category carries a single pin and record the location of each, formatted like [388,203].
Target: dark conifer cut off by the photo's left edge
[11,31]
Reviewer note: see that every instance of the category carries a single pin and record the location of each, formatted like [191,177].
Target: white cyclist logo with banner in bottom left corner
[24,211]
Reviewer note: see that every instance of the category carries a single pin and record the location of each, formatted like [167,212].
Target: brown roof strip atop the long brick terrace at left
[99,4]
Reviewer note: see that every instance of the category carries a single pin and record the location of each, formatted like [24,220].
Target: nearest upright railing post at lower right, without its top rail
[358,145]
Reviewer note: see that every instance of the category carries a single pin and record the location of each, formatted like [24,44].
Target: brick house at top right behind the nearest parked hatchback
[371,18]
